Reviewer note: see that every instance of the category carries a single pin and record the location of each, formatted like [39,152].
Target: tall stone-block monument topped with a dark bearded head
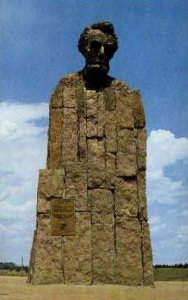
[91,221]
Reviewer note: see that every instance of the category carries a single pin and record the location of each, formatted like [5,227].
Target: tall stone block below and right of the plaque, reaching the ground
[77,252]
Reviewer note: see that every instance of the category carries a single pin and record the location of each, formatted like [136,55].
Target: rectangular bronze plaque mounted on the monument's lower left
[62,216]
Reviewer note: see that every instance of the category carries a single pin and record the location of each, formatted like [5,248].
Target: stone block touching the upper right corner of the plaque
[76,185]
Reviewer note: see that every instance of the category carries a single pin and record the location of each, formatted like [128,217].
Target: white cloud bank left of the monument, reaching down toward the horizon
[23,144]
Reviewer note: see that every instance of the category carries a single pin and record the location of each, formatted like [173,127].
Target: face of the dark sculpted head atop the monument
[98,51]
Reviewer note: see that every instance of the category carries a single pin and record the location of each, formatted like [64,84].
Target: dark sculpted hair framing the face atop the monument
[105,27]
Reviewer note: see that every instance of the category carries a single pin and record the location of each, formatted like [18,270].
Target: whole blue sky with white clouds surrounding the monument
[39,46]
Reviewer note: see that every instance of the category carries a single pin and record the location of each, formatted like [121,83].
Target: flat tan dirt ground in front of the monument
[16,288]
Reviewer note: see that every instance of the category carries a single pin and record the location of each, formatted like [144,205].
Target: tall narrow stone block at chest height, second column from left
[70,135]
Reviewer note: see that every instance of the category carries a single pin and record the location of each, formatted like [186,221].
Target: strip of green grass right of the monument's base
[170,274]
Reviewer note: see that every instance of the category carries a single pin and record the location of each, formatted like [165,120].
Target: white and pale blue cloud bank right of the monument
[167,195]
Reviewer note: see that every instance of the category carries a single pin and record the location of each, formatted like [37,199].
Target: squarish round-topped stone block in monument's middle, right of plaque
[101,203]
